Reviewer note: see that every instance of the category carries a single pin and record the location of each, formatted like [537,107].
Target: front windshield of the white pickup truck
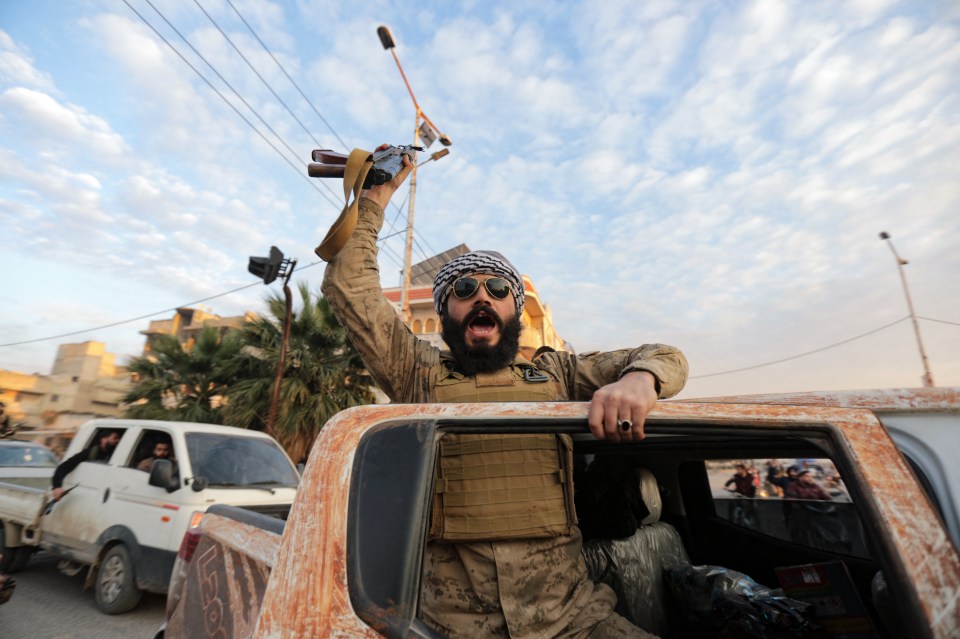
[229,460]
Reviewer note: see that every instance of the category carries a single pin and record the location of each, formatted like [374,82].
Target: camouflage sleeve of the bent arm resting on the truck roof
[584,374]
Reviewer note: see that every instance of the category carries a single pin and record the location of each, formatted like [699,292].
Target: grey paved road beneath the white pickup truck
[49,605]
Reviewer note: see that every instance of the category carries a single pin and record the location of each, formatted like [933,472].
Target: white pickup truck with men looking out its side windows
[124,524]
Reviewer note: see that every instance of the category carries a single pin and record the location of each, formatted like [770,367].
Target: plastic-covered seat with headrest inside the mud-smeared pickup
[634,566]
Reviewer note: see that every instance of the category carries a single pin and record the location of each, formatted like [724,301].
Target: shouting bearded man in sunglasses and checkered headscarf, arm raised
[511,566]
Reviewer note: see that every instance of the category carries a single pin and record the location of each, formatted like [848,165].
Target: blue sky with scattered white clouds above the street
[709,175]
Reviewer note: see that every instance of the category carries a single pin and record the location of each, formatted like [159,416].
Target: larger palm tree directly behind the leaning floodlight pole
[323,374]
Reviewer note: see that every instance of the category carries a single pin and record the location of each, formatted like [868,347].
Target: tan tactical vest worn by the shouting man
[499,487]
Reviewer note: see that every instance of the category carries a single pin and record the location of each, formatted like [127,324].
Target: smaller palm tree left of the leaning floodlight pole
[183,384]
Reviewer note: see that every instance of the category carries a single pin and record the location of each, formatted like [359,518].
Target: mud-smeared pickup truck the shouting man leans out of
[874,557]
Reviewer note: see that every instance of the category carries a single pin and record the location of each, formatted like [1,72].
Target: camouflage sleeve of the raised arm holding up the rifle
[351,284]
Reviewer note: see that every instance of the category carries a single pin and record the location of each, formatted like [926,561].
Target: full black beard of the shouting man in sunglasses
[483,358]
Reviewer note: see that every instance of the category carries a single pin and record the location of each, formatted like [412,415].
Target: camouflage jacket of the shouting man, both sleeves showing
[406,368]
